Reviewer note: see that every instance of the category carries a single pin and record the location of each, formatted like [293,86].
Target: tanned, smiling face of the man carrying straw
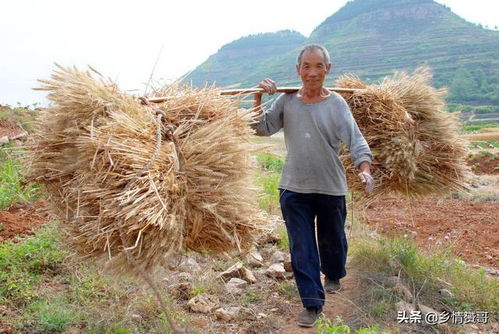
[313,69]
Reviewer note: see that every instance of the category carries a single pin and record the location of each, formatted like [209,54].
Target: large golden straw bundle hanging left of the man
[99,154]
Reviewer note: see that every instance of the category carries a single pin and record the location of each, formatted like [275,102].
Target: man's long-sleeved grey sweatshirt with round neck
[312,133]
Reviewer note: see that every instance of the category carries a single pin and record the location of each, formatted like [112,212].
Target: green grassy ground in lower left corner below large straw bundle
[44,290]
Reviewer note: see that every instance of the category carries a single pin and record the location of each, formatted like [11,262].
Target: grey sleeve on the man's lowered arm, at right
[350,134]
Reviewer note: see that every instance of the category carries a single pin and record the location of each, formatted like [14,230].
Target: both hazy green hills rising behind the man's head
[373,38]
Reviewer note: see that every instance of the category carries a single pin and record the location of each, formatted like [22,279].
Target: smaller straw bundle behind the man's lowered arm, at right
[415,143]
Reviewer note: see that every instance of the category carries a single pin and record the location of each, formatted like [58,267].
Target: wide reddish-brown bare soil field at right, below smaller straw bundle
[469,228]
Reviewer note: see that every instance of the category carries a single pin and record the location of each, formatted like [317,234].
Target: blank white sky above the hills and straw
[122,39]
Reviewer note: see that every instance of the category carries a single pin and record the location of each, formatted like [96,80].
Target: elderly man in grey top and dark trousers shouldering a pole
[313,183]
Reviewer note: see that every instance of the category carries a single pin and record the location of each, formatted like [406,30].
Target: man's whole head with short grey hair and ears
[313,64]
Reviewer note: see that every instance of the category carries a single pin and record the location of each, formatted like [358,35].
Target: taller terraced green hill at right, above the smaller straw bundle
[374,37]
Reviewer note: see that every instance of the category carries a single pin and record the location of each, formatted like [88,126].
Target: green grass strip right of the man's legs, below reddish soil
[379,259]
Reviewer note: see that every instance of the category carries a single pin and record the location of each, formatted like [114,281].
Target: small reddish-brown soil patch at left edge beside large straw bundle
[22,219]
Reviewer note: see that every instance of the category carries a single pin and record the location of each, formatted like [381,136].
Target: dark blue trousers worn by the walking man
[300,212]
